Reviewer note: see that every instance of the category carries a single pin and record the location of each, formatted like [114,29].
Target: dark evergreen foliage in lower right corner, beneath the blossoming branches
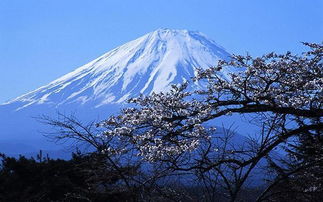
[299,177]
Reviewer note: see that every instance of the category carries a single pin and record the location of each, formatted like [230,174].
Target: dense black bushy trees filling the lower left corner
[46,179]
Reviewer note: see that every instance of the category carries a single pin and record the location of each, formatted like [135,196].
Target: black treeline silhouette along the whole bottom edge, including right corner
[89,177]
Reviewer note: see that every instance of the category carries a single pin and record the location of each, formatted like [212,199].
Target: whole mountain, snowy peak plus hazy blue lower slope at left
[151,63]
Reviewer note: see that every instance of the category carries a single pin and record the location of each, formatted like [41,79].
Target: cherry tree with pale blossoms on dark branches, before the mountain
[281,92]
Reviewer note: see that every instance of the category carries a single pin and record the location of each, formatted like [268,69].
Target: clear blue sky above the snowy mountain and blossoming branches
[41,40]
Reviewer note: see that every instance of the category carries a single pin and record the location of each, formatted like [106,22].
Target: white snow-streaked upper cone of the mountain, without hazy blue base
[151,63]
